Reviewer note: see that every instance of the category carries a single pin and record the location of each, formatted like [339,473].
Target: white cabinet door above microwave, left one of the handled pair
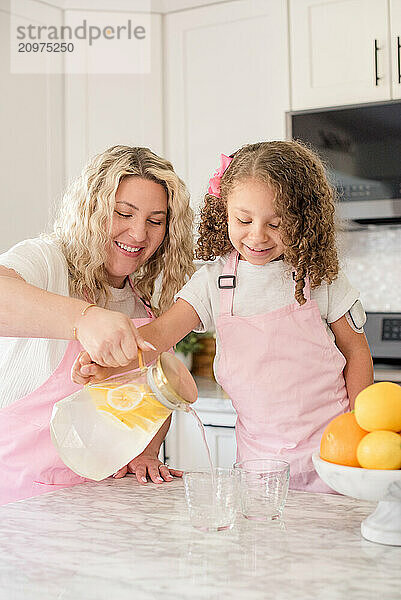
[339,52]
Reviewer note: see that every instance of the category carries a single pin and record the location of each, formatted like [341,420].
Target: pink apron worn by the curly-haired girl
[284,376]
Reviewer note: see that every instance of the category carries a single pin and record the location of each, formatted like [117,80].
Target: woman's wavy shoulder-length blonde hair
[82,228]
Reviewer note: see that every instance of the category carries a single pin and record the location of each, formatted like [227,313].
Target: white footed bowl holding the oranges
[384,524]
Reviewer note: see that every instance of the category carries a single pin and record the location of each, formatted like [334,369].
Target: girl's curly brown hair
[304,201]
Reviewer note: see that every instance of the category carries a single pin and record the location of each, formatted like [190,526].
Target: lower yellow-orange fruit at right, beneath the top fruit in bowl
[380,450]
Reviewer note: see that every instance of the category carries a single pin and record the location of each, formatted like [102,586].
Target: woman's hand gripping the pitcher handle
[109,337]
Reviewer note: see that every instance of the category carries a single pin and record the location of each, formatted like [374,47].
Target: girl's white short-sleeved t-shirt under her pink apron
[261,289]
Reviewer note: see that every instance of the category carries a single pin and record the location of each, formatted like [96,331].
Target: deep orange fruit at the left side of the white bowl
[340,440]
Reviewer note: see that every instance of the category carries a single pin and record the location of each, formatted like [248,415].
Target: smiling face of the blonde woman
[138,227]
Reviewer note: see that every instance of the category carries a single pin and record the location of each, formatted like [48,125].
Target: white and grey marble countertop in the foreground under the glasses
[118,540]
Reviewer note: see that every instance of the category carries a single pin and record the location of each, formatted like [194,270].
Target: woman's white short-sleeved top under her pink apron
[26,363]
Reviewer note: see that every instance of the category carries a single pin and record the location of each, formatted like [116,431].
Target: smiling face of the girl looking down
[252,222]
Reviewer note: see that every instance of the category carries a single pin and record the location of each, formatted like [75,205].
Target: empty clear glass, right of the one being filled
[263,488]
